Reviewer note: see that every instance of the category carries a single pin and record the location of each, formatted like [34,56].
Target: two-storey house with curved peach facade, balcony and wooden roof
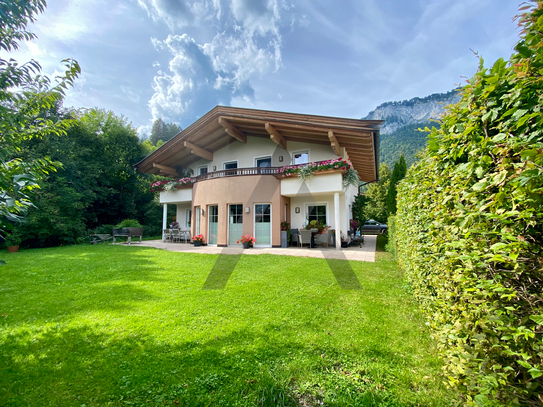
[239,184]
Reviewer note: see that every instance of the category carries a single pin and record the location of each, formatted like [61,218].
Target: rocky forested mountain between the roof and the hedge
[399,134]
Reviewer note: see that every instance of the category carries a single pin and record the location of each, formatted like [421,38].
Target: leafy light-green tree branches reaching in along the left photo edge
[24,96]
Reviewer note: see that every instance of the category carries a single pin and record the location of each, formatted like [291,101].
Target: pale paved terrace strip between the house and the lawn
[365,253]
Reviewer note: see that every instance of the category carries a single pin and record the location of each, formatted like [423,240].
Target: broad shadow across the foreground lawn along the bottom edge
[86,367]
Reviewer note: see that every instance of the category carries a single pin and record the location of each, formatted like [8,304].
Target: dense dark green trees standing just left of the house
[96,185]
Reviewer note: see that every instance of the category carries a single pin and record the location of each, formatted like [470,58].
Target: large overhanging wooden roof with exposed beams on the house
[225,125]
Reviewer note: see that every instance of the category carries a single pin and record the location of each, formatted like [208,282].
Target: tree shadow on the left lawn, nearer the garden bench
[81,281]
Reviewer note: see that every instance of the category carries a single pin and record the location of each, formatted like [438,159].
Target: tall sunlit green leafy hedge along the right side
[469,231]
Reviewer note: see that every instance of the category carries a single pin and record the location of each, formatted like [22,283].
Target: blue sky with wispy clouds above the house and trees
[177,59]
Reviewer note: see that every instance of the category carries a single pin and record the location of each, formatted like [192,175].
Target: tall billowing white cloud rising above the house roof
[242,41]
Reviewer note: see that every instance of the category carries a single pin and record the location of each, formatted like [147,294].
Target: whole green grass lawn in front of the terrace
[97,325]
